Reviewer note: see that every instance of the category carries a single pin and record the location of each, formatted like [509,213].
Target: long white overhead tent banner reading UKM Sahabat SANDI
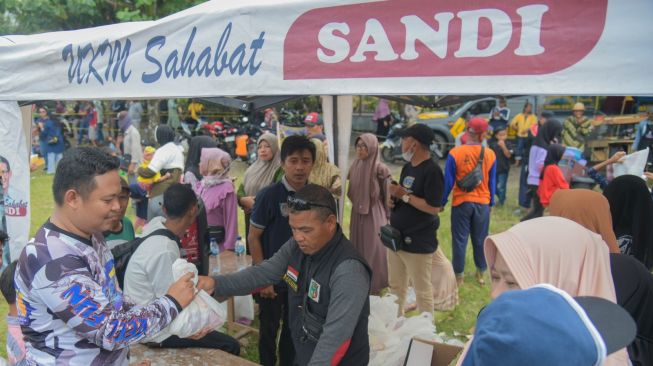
[344,47]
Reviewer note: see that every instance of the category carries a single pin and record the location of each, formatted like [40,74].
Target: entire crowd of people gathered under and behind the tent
[311,281]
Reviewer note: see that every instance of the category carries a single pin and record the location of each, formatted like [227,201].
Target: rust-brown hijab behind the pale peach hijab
[588,208]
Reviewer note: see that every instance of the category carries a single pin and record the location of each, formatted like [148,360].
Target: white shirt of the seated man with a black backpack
[149,272]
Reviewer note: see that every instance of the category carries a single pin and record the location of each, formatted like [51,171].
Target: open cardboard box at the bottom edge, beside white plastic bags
[423,353]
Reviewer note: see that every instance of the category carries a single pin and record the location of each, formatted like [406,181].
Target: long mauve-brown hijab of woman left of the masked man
[362,188]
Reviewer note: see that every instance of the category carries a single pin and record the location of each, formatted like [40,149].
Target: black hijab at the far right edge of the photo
[632,214]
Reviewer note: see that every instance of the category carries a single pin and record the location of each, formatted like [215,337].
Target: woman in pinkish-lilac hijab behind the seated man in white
[217,192]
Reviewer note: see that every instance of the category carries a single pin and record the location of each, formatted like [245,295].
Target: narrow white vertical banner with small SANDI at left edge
[15,177]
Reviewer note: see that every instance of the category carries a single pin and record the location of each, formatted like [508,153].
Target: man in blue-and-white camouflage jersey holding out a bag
[70,307]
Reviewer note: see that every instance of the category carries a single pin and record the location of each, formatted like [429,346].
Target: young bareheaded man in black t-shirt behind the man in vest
[269,231]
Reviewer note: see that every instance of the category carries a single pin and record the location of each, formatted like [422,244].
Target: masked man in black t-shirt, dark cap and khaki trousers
[416,201]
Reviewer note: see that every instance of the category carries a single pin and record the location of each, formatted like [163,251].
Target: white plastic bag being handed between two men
[203,312]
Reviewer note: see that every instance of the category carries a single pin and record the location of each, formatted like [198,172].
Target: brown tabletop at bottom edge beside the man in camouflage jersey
[184,356]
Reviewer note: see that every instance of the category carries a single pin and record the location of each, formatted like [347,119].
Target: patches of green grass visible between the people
[454,323]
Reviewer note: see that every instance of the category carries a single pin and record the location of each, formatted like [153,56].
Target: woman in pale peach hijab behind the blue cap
[556,251]
